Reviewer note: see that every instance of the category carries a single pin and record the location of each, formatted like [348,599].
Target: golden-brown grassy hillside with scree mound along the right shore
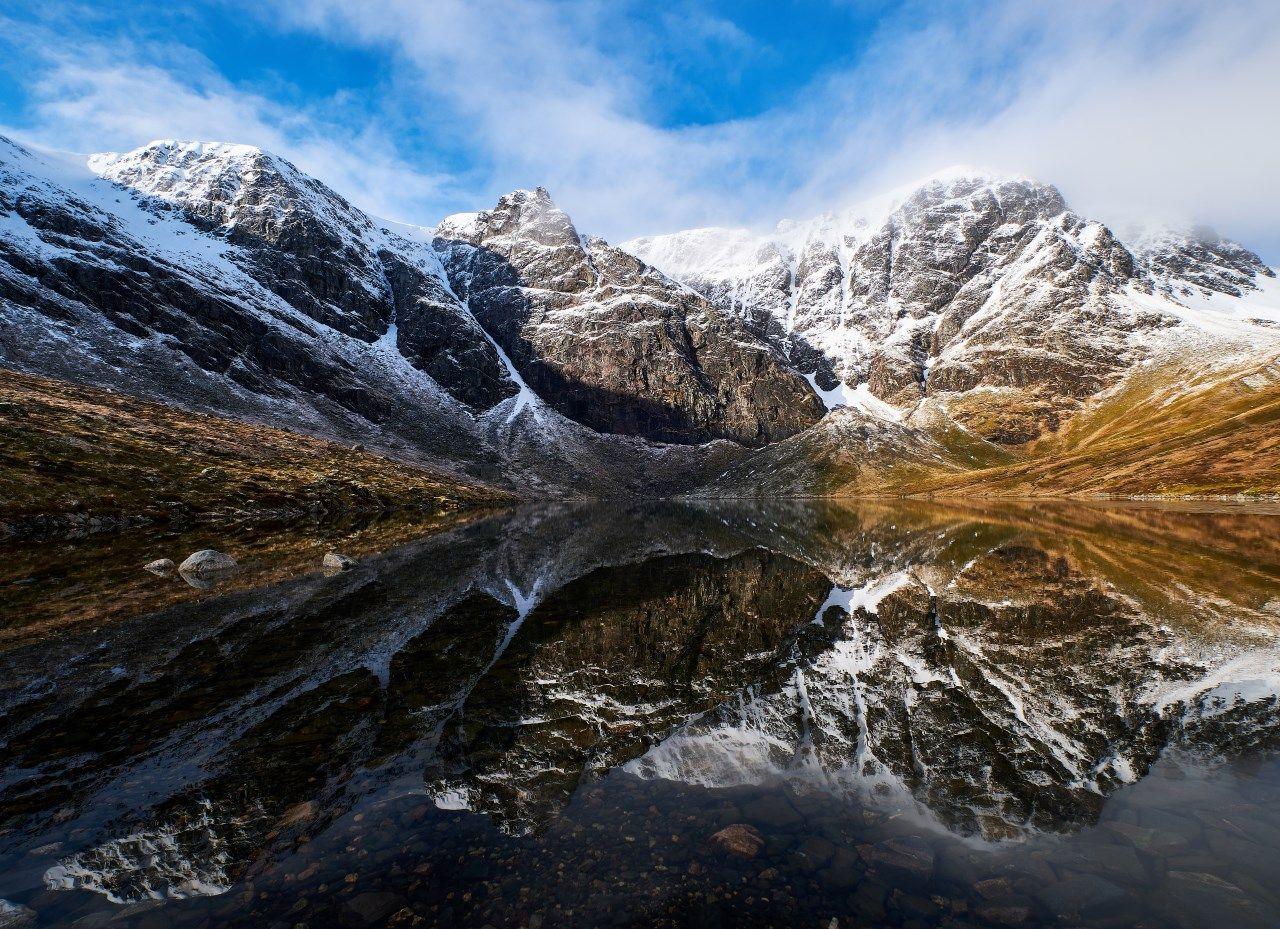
[1169,431]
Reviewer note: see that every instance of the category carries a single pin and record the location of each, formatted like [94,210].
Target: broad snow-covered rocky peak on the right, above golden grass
[982,291]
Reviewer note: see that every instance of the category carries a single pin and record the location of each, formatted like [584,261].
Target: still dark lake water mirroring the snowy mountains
[675,715]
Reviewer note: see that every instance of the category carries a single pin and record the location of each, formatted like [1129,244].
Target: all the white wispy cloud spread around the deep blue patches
[1133,108]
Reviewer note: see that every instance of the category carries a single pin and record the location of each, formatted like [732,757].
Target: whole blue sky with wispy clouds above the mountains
[647,117]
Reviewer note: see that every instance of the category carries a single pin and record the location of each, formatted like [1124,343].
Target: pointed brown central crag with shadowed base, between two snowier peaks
[612,344]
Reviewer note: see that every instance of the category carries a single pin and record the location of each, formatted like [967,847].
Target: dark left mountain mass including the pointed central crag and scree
[220,278]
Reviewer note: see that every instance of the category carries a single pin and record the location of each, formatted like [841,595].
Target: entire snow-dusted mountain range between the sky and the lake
[927,341]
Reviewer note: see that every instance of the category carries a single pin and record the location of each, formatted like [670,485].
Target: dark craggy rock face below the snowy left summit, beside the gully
[326,259]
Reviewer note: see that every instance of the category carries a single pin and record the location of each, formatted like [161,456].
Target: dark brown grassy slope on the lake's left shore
[76,457]
